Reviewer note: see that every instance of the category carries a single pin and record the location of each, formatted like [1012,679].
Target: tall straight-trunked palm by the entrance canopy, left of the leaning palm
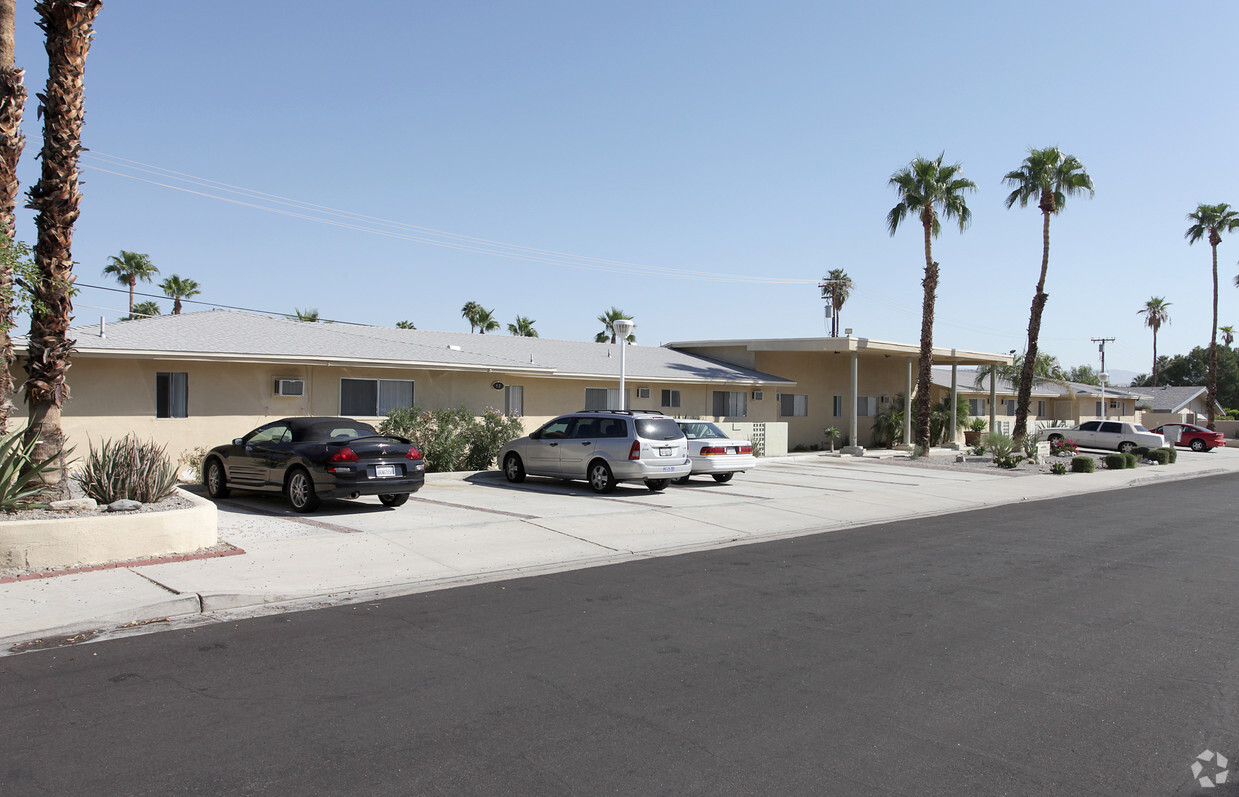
[927,189]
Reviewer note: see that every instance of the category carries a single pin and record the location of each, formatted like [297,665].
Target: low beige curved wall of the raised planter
[113,537]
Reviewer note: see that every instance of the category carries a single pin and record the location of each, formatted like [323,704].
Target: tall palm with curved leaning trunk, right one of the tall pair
[1049,177]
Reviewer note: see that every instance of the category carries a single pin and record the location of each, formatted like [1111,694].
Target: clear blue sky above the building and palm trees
[733,139]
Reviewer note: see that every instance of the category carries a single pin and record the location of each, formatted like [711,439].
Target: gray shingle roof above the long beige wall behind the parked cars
[247,337]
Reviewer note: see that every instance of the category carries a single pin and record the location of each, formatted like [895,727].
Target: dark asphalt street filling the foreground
[1077,646]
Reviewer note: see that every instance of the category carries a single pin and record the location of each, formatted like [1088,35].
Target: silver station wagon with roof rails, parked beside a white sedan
[604,448]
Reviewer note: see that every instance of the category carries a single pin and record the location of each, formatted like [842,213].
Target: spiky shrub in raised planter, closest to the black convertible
[128,469]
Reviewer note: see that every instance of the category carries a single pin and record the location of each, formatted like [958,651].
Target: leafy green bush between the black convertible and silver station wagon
[454,439]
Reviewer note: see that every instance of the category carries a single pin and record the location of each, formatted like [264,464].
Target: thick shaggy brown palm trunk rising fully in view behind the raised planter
[69,27]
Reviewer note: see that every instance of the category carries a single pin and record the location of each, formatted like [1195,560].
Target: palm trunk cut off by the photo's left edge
[13,102]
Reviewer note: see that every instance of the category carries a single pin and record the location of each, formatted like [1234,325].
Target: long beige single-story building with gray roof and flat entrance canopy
[203,379]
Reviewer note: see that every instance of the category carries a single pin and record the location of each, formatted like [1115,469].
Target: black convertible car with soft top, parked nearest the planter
[309,459]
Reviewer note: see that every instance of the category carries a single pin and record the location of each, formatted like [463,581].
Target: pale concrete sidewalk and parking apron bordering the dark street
[465,529]
